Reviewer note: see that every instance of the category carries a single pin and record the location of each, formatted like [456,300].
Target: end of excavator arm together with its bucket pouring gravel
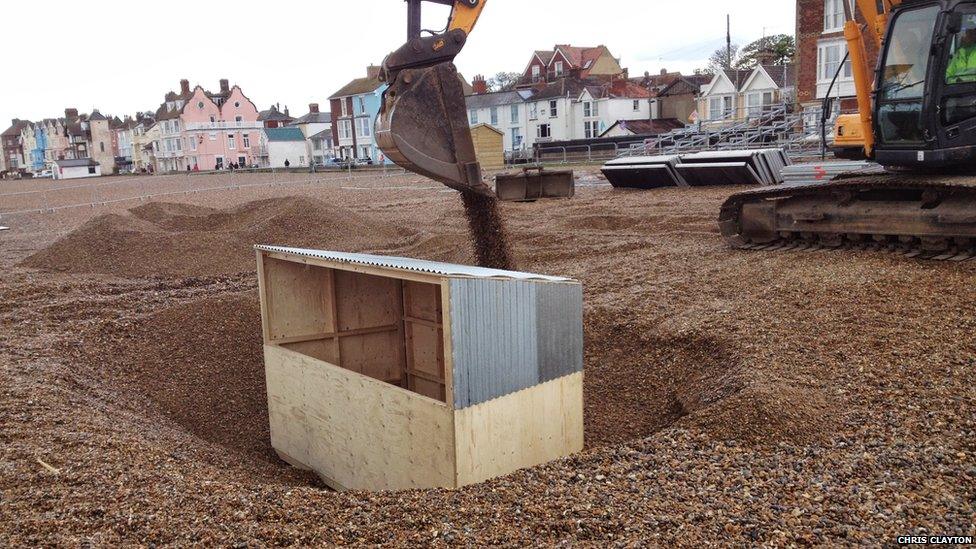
[423,123]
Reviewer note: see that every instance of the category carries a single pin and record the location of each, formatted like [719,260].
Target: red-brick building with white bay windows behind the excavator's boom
[821,48]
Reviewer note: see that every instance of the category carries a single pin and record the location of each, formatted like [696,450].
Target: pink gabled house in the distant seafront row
[220,129]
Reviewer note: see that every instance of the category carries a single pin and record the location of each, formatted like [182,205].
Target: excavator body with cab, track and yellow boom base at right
[917,118]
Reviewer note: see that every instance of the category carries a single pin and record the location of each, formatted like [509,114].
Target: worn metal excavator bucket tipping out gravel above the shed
[423,127]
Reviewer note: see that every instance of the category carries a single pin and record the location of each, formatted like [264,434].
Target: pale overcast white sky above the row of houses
[122,56]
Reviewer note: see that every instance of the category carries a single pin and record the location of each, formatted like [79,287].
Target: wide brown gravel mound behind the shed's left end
[178,240]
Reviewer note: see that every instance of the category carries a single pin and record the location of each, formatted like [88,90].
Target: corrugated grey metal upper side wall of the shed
[511,335]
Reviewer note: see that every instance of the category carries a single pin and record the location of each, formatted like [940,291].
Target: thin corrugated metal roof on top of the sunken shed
[414,265]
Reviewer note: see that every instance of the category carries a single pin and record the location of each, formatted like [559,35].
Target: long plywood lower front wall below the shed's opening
[355,432]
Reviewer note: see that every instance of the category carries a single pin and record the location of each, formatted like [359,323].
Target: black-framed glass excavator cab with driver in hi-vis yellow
[925,94]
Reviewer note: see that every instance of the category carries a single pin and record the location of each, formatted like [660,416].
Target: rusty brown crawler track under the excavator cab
[926,217]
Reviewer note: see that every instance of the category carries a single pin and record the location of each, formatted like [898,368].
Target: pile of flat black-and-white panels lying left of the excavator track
[746,167]
